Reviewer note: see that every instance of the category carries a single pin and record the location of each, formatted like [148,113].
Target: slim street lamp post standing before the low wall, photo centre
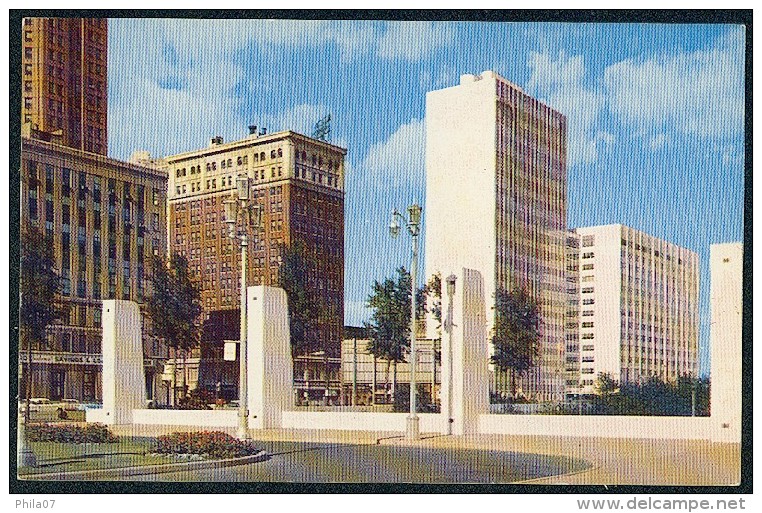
[414,227]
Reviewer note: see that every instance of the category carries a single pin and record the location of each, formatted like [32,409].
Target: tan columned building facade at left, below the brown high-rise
[104,219]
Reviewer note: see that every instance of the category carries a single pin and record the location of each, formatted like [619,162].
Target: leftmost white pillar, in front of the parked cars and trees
[124,387]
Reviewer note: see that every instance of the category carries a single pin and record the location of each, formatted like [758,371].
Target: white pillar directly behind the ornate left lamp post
[270,366]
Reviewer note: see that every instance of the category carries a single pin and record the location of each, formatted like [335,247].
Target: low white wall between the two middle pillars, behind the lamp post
[360,421]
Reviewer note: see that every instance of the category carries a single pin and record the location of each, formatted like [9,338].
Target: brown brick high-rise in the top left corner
[64,86]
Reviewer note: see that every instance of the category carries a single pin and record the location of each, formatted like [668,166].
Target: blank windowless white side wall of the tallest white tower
[460,178]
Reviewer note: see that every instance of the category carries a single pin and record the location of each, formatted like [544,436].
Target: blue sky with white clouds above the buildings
[655,114]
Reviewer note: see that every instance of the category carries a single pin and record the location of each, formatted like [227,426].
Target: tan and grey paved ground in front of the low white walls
[349,456]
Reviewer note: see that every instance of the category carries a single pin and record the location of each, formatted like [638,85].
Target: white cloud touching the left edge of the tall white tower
[397,162]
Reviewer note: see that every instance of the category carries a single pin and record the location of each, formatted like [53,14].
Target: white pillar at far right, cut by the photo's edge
[726,303]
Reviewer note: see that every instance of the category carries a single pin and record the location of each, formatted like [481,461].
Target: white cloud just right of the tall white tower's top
[561,82]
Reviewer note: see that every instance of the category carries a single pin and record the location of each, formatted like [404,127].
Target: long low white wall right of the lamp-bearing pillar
[603,426]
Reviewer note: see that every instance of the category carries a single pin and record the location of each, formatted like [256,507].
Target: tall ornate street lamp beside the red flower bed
[240,205]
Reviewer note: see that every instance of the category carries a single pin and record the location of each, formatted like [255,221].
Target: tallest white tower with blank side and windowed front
[496,203]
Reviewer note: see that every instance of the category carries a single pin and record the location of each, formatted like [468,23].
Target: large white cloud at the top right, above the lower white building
[694,93]
